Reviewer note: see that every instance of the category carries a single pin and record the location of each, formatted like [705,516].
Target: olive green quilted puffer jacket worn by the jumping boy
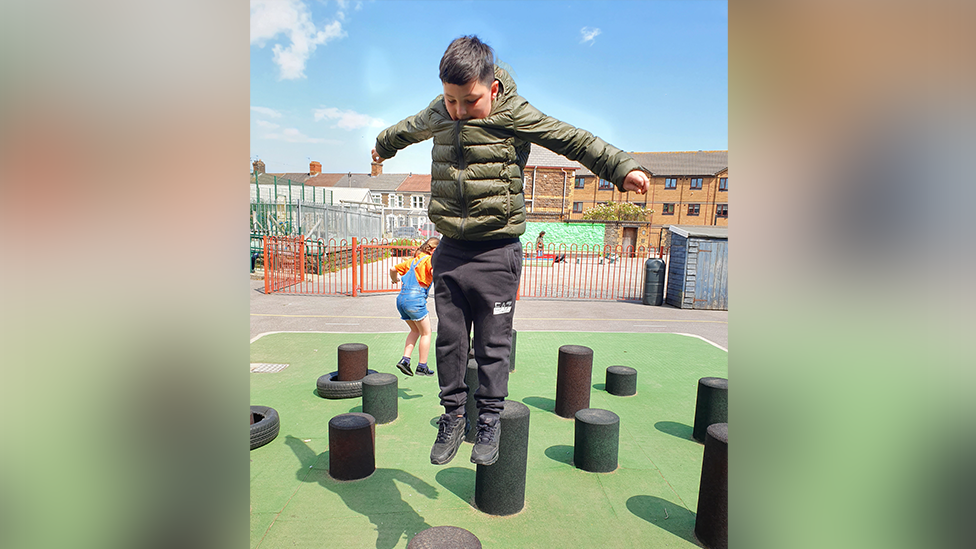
[478,164]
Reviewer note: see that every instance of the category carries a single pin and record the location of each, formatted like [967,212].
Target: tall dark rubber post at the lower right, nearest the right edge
[712,518]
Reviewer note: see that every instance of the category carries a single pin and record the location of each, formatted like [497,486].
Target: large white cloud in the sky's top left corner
[269,18]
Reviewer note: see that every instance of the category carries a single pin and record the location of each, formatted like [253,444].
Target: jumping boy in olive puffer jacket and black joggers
[482,130]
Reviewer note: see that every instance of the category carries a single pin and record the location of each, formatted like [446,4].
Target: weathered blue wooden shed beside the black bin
[698,273]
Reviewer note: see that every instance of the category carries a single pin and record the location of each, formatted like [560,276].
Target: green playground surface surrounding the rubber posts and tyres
[649,501]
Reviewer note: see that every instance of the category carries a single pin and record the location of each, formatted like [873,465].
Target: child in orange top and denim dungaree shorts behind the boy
[416,274]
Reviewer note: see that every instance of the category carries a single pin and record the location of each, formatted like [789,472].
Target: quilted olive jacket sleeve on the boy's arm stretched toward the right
[603,159]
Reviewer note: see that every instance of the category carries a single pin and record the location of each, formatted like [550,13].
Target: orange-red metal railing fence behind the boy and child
[354,267]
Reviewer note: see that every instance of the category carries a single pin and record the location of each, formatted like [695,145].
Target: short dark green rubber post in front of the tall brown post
[597,440]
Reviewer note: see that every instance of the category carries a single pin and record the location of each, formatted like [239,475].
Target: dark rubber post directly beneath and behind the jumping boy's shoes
[500,487]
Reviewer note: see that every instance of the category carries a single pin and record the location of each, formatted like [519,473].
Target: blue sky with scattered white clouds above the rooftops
[328,76]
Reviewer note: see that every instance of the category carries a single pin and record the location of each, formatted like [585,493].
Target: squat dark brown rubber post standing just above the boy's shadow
[352,446]
